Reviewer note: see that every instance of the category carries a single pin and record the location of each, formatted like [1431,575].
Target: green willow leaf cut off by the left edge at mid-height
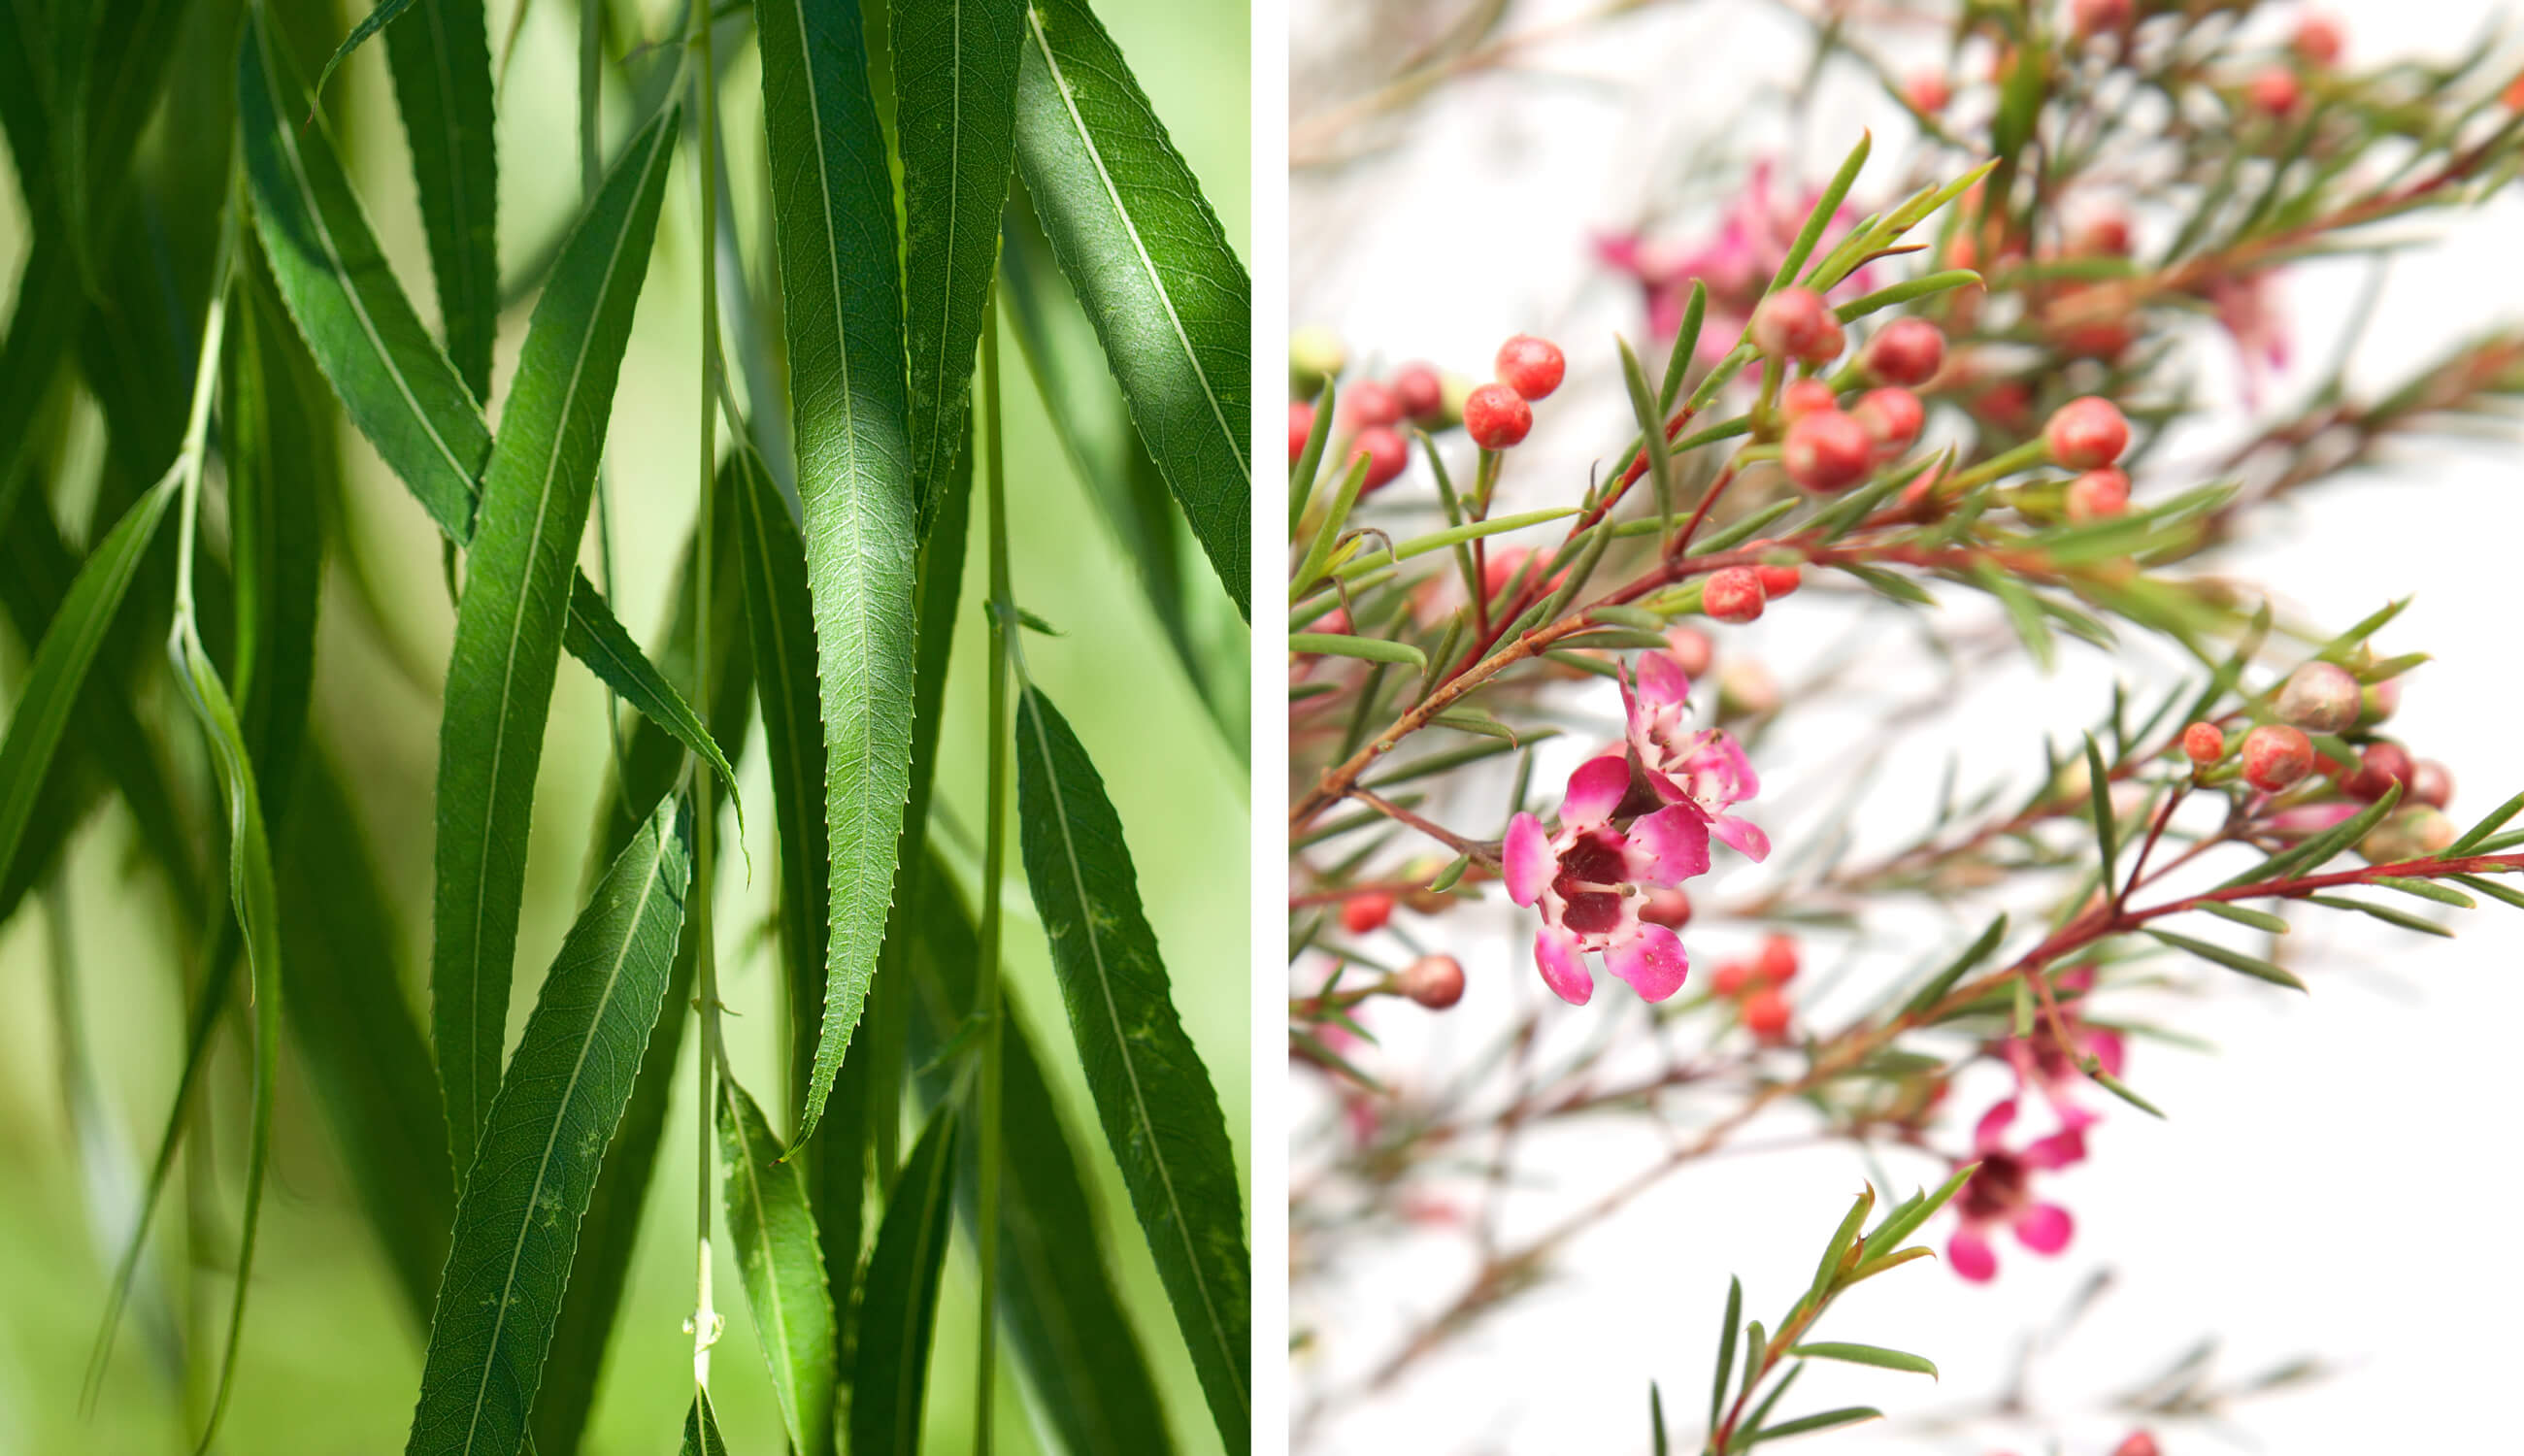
[64,660]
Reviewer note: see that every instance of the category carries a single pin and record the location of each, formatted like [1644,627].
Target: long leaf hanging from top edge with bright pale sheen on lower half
[844,314]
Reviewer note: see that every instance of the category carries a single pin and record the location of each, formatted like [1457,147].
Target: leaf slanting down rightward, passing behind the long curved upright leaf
[395,382]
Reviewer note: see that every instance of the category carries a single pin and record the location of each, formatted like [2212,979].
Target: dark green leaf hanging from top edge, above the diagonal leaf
[443,87]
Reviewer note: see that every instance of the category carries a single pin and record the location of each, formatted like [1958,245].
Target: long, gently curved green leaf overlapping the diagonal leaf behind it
[511,619]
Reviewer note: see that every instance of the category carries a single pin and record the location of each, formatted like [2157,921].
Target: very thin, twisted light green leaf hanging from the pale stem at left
[254,900]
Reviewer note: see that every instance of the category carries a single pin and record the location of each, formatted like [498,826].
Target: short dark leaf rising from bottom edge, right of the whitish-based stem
[900,1308]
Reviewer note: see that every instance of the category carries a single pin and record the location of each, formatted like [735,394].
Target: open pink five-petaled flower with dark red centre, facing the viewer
[1589,874]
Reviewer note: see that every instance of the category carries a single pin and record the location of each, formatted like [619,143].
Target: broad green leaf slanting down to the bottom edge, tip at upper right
[544,1144]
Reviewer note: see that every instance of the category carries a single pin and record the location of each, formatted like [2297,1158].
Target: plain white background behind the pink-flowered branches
[2336,1180]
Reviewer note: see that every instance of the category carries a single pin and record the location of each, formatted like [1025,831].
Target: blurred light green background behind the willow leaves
[332,1361]
